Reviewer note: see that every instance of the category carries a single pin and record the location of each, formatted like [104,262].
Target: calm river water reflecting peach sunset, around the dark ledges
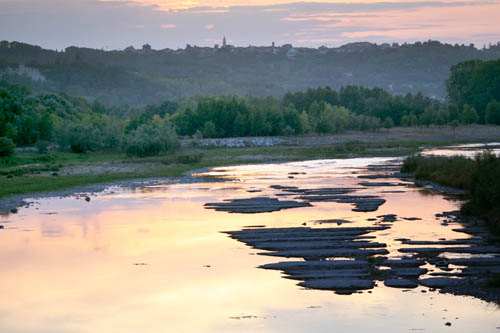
[153,259]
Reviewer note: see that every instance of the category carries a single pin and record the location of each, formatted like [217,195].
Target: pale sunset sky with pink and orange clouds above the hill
[116,24]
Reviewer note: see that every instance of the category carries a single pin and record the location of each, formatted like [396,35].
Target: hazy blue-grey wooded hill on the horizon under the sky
[146,76]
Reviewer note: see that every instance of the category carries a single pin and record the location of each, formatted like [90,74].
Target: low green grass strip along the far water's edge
[33,172]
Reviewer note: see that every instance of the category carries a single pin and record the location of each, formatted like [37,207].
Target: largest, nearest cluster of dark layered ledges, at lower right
[349,259]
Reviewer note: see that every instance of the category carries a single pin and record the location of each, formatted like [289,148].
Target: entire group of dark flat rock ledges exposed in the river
[352,259]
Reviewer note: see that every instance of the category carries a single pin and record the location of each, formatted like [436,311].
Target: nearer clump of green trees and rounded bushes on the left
[76,124]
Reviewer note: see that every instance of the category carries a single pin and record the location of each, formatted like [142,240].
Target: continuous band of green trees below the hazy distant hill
[28,119]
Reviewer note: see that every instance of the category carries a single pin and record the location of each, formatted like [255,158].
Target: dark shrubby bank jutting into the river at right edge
[479,176]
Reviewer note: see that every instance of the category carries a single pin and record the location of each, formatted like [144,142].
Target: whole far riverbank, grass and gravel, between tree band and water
[29,174]
